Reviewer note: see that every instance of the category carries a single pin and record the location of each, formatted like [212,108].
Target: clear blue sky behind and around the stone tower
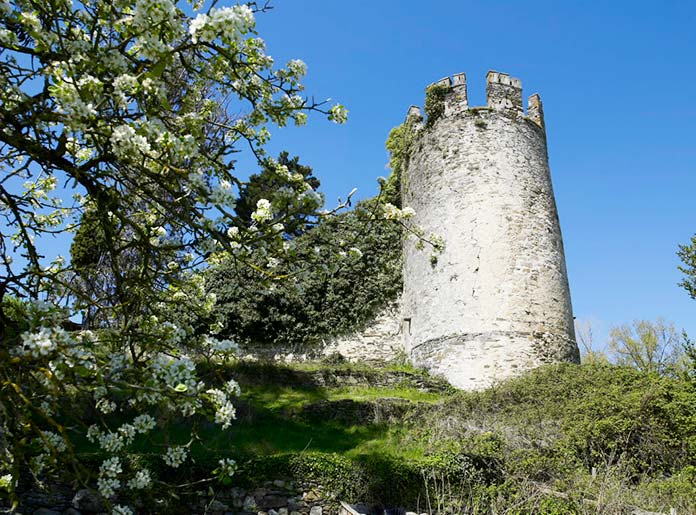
[618,82]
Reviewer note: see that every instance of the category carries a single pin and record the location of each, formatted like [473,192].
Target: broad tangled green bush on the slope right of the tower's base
[591,415]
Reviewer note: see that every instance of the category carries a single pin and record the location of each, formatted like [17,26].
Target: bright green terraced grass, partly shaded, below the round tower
[272,418]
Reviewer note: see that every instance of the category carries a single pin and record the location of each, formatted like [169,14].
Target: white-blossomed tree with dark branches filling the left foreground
[123,117]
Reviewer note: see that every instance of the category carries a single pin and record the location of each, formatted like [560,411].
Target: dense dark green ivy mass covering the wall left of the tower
[349,267]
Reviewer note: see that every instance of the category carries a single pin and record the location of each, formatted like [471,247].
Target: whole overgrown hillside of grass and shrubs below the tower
[550,427]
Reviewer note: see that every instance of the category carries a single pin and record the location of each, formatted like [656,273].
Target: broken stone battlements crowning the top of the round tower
[503,94]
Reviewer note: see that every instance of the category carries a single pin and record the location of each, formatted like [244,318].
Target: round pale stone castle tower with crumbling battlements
[496,302]
